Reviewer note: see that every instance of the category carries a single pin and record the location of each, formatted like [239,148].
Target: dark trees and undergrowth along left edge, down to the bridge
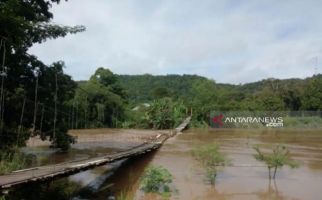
[32,95]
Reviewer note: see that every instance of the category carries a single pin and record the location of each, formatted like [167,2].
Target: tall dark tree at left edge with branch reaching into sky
[22,24]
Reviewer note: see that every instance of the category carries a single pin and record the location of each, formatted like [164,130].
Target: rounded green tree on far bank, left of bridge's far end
[101,100]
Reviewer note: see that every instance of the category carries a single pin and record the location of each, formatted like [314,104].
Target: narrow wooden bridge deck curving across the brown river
[63,169]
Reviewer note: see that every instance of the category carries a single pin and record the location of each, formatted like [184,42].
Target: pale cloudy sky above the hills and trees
[229,41]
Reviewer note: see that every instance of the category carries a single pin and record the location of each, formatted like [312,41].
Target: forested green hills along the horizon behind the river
[269,94]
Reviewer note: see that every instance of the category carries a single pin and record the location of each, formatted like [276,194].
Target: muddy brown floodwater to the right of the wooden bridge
[246,178]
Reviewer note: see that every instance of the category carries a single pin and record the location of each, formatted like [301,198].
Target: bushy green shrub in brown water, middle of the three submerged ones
[210,157]
